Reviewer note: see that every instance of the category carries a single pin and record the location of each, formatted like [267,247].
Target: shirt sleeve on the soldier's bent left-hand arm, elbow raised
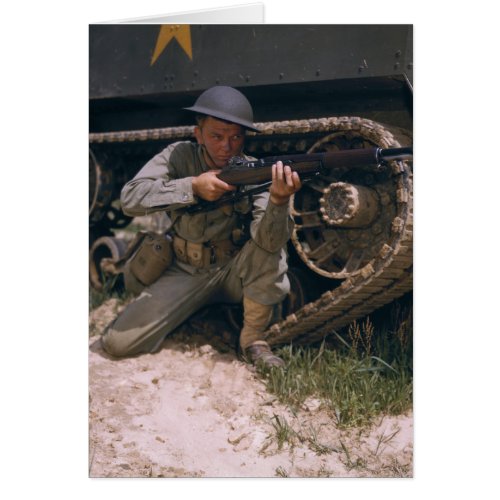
[164,183]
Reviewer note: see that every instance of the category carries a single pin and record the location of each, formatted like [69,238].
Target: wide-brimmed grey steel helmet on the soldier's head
[227,104]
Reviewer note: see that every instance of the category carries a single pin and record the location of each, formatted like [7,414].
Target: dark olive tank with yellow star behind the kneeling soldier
[313,89]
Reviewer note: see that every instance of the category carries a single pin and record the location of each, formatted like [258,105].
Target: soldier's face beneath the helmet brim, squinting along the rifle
[221,139]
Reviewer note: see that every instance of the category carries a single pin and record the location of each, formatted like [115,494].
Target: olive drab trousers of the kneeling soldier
[182,290]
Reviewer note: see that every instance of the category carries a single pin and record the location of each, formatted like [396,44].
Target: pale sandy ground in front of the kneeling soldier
[193,409]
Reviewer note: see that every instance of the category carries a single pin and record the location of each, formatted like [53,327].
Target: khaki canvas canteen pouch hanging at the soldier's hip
[152,258]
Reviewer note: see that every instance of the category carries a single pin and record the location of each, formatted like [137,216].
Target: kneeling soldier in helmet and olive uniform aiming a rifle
[209,267]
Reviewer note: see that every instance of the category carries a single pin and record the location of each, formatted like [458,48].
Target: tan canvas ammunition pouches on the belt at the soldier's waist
[202,255]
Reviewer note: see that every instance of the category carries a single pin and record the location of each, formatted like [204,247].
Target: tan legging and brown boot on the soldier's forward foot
[256,319]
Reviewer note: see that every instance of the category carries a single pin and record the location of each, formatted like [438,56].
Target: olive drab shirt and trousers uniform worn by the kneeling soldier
[208,268]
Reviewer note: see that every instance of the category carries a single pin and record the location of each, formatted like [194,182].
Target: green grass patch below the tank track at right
[359,374]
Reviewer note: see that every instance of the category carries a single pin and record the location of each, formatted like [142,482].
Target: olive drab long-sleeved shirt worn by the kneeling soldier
[165,183]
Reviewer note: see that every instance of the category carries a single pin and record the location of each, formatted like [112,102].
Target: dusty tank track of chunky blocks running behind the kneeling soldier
[384,278]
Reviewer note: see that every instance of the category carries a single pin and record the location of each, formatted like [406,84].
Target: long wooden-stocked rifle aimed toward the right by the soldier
[258,173]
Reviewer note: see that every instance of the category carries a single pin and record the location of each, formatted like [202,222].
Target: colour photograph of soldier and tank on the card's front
[250,246]
